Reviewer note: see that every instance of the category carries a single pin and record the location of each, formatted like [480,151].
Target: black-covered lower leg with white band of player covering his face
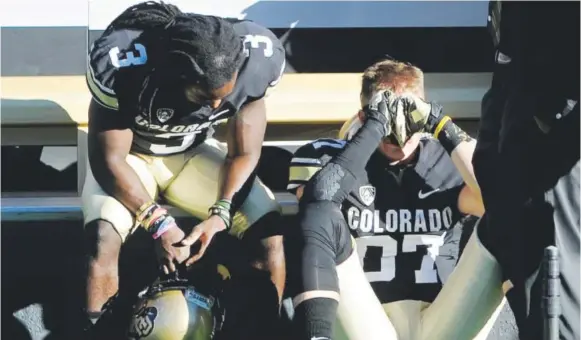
[311,261]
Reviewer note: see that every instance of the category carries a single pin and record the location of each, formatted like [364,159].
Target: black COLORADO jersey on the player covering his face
[399,215]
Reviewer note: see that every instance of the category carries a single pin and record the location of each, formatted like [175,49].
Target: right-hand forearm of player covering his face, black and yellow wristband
[460,146]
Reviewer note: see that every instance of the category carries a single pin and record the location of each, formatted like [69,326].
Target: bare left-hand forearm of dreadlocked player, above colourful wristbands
[119,180]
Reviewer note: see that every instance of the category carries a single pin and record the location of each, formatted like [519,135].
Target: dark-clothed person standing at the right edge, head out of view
[527,159]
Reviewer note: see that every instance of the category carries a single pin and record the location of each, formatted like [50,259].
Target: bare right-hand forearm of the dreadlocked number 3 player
[237,171]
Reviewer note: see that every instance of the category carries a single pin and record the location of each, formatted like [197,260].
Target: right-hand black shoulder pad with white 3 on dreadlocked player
[264,66]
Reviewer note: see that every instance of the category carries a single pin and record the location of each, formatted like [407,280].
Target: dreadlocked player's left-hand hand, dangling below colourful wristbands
[167,250]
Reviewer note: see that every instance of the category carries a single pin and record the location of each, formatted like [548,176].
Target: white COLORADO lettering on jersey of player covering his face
[400,220]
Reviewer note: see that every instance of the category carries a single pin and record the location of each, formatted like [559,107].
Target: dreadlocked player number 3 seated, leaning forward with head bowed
[160,79]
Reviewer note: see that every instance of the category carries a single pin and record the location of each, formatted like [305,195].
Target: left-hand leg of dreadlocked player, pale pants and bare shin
[107,224]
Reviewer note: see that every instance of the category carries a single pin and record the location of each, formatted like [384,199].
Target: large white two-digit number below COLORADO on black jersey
[425,274]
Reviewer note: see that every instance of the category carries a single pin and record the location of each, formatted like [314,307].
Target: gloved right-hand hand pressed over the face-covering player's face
[420,116]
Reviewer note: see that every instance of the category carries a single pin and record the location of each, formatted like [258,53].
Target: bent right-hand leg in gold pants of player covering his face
[469,298]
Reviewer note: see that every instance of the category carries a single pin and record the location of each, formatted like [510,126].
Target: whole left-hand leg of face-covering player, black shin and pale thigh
[326,279]
